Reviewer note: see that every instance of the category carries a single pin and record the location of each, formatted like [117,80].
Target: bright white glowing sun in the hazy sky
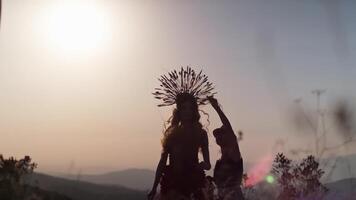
[77,27]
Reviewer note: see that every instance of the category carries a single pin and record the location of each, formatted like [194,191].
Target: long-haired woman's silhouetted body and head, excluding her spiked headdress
[184,176]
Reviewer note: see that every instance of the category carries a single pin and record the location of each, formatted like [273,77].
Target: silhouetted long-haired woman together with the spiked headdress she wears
[184,176]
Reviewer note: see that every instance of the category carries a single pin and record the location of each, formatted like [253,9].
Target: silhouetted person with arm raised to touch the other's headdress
[229,168]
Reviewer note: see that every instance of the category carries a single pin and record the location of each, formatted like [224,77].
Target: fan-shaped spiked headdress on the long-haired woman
[186,82]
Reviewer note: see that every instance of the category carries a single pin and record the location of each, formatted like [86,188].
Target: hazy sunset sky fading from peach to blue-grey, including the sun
[76,76]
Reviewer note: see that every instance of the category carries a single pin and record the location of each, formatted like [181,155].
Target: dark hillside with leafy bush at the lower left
[18,182]
